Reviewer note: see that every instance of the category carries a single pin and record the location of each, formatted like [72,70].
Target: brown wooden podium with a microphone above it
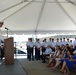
[9,51]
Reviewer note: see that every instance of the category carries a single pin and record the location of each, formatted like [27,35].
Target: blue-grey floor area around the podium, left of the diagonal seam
[15,69]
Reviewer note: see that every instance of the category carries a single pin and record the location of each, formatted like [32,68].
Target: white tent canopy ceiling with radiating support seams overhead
[38,16]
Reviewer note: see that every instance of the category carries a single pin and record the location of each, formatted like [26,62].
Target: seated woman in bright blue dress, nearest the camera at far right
[69,63]
